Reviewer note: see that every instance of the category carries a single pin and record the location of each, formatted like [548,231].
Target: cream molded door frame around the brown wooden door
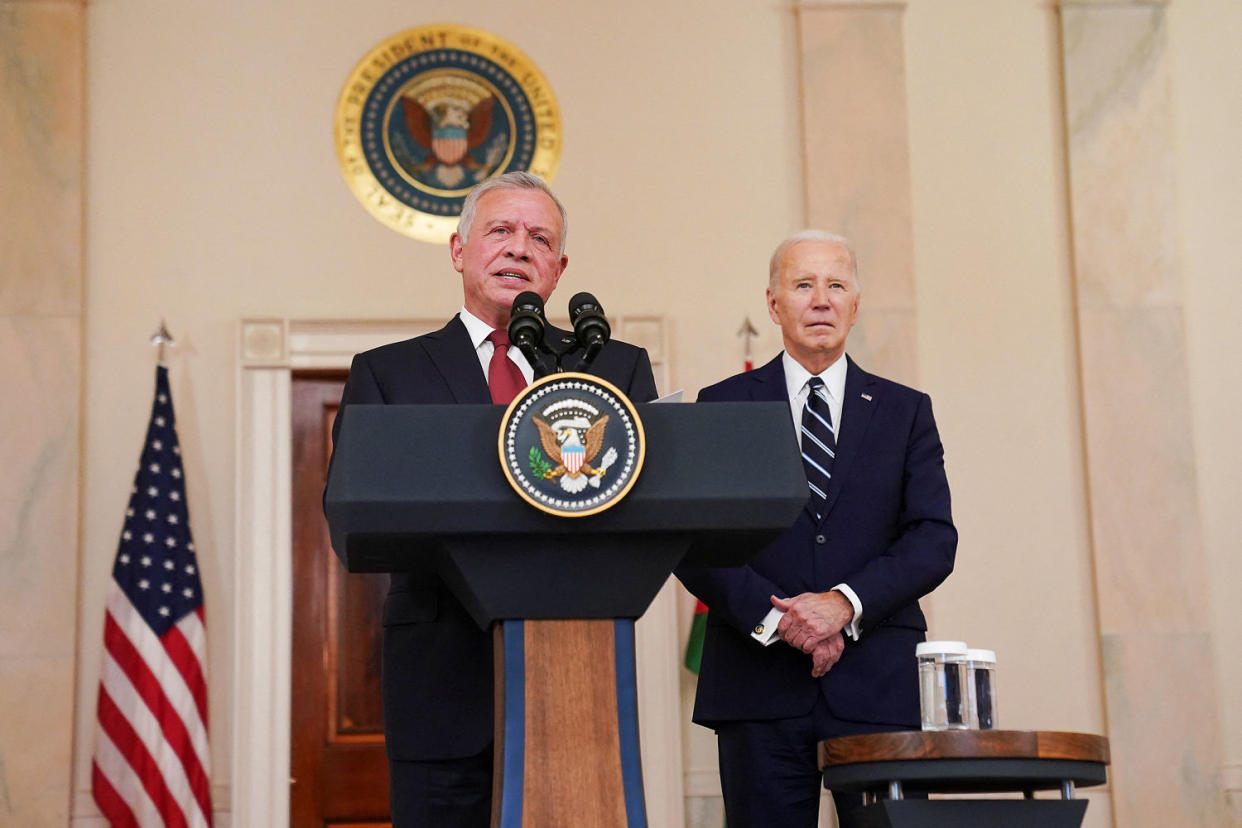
[269,353]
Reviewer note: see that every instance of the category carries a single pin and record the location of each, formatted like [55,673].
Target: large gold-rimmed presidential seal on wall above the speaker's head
[432,112]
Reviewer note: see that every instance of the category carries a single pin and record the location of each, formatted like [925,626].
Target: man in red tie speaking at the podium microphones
[438,664]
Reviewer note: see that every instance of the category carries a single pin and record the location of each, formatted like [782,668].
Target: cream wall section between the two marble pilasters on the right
[998,353]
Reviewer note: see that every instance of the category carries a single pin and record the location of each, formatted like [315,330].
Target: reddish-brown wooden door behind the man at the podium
[338,770]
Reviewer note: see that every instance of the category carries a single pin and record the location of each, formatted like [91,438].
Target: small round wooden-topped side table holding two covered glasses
[886,768]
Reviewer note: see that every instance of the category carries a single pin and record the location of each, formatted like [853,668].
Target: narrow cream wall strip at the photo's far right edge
[1208,99]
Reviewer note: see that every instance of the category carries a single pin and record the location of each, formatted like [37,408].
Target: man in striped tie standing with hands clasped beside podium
[815,637]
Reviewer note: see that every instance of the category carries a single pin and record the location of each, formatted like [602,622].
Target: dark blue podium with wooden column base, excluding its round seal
[562,594]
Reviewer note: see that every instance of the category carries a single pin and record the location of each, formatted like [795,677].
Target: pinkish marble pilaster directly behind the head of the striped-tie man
[858,167]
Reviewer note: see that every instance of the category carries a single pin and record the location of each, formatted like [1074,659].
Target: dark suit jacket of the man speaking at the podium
[438,664]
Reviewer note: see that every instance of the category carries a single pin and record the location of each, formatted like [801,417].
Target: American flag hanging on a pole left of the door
[151,764]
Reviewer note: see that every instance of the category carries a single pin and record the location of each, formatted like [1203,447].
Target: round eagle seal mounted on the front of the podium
[572,445]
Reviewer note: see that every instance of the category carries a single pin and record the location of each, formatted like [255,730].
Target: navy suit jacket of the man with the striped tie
[886,532]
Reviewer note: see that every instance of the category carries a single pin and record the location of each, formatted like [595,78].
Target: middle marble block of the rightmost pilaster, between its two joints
[1149,563]
